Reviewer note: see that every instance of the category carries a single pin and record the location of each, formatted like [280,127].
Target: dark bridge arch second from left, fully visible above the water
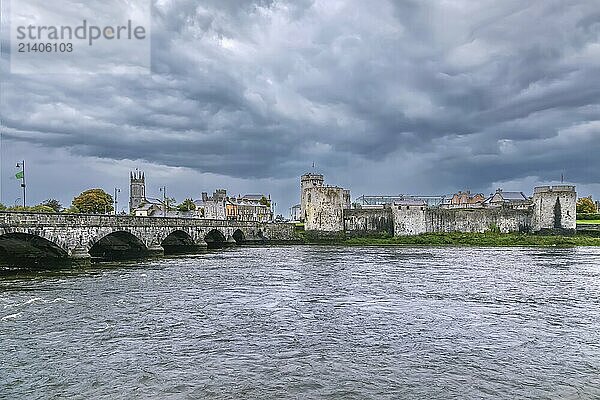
[117,244]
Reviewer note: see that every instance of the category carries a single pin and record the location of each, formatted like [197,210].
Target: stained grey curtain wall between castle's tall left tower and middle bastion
[369,221]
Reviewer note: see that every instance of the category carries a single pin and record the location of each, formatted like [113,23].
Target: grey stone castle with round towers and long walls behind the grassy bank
[328,209]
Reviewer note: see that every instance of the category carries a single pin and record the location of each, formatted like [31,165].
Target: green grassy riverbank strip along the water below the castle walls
[463,239]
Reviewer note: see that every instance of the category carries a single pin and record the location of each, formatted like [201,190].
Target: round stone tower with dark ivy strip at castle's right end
[554,208]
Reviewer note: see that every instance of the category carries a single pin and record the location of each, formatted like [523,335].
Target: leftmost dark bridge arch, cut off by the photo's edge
[25,245]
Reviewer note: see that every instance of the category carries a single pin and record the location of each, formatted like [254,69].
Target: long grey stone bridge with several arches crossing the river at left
[80,236]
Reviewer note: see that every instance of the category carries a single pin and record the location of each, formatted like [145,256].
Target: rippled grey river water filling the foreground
[308,322]
